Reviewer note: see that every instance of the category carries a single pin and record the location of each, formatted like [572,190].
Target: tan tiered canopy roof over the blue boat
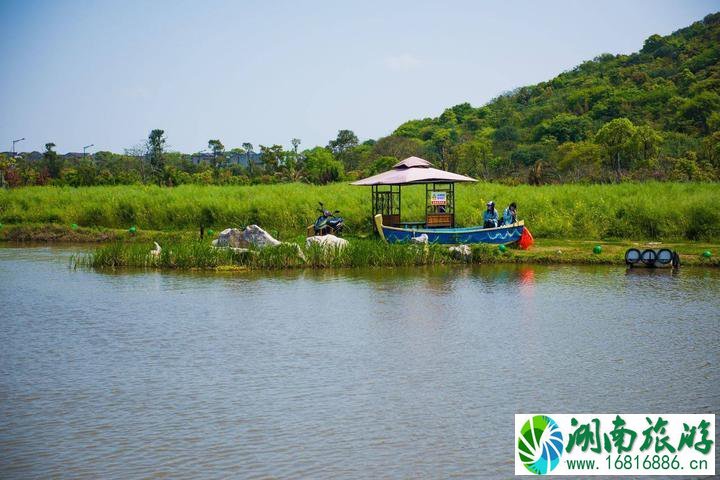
[413,170]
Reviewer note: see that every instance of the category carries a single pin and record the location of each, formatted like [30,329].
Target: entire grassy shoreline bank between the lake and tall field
[128,250]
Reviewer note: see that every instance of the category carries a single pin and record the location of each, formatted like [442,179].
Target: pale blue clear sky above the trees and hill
[107,72]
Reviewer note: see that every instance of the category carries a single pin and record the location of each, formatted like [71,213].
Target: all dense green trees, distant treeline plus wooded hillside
[654,114]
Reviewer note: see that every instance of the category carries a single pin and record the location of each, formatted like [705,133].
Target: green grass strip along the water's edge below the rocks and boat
[195,254]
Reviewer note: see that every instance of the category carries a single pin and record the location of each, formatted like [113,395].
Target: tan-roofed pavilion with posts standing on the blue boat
[439,192]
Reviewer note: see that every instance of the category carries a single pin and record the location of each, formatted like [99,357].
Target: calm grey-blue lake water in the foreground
[351,374]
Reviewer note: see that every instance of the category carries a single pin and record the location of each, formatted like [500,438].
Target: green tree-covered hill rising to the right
[651,114]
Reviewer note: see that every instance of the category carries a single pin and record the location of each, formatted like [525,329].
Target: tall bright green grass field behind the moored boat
[638,211]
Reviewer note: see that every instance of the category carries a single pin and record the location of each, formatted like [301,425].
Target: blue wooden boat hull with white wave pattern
[468,235]
